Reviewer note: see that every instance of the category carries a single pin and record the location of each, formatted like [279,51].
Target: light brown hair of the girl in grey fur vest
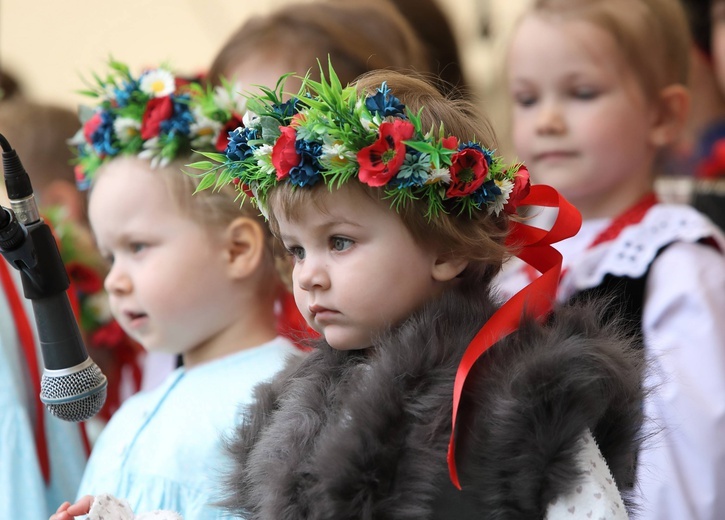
[478,237]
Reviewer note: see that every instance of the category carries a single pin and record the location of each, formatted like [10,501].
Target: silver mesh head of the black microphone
[74,394]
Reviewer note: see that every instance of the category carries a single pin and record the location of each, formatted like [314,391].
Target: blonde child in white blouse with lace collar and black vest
[597,90]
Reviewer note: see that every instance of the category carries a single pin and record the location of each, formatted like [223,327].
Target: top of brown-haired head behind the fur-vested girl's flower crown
[358,35]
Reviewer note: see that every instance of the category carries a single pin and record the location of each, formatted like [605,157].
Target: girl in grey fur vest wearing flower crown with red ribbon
[397,215]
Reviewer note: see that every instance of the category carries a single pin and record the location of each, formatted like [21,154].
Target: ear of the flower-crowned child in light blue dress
[245,245]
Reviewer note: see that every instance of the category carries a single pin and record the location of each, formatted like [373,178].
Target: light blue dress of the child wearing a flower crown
[163,448]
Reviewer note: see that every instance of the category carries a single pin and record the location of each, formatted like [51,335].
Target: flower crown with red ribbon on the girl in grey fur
[329,133]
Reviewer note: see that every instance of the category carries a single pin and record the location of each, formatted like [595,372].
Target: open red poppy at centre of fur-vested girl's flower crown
[380,161]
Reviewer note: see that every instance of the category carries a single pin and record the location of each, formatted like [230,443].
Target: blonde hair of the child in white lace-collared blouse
[653,35]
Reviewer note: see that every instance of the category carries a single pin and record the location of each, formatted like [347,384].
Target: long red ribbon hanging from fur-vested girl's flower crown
[536,299]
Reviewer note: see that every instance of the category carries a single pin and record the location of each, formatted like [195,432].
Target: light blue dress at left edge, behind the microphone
[23,491]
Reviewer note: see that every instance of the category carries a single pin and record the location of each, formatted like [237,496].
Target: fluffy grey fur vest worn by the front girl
[363,435]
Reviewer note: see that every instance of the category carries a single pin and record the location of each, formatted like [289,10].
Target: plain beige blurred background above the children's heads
[51,45]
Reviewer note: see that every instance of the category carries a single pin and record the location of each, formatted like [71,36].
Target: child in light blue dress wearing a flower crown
[190,276]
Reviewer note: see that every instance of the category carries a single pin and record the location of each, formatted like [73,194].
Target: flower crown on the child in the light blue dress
[151,116]
